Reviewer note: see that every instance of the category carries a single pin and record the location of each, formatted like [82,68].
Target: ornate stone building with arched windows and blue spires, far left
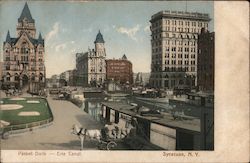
[23,56]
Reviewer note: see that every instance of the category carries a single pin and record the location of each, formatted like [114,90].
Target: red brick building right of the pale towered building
[119,70]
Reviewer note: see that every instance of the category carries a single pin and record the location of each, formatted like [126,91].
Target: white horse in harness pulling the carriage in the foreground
[83,133]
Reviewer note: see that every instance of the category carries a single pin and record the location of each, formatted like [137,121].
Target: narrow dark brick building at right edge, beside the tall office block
[205,72]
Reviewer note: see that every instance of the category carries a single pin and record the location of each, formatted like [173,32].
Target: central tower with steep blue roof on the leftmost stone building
[26,23]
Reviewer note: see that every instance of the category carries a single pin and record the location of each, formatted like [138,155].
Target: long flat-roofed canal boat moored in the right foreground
[165,132]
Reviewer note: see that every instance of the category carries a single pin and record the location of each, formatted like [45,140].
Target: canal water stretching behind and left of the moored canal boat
[92,106]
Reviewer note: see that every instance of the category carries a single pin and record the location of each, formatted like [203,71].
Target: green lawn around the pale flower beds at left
[13,118]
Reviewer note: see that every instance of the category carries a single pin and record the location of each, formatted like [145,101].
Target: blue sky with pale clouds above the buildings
[71,26]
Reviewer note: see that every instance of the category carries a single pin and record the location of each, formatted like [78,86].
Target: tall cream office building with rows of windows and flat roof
[174,48]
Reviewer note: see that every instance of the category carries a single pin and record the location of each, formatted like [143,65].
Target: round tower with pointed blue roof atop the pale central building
[99,45]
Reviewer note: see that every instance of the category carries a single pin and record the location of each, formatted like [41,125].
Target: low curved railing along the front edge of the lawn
[27,125]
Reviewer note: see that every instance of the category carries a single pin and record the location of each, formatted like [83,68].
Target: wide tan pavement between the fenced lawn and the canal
[56,136]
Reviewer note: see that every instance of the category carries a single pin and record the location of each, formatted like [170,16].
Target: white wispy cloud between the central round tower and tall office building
[130,32]
